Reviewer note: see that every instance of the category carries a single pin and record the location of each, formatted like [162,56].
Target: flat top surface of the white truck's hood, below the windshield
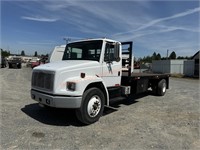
[68,65]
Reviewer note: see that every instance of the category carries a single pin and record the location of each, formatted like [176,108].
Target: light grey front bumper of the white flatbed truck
[56,101]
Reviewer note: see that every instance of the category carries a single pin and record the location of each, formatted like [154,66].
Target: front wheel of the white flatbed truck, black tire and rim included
[92,106]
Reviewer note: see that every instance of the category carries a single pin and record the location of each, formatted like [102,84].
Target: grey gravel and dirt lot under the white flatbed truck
[146,122]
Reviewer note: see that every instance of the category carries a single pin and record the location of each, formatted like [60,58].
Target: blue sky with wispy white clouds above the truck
[152,25]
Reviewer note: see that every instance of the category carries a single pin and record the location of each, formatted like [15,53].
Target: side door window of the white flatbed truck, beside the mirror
[112,52]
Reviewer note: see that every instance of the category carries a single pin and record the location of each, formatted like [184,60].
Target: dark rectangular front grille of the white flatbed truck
[43,80]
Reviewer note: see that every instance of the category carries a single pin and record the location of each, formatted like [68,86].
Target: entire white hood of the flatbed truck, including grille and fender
[59,73]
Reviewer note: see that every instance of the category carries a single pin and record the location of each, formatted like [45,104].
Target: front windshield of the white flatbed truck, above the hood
[86,50]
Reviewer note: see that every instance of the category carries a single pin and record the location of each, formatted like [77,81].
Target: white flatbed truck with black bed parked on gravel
[90,74]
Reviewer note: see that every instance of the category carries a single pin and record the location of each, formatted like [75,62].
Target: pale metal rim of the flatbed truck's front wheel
[94,106]
